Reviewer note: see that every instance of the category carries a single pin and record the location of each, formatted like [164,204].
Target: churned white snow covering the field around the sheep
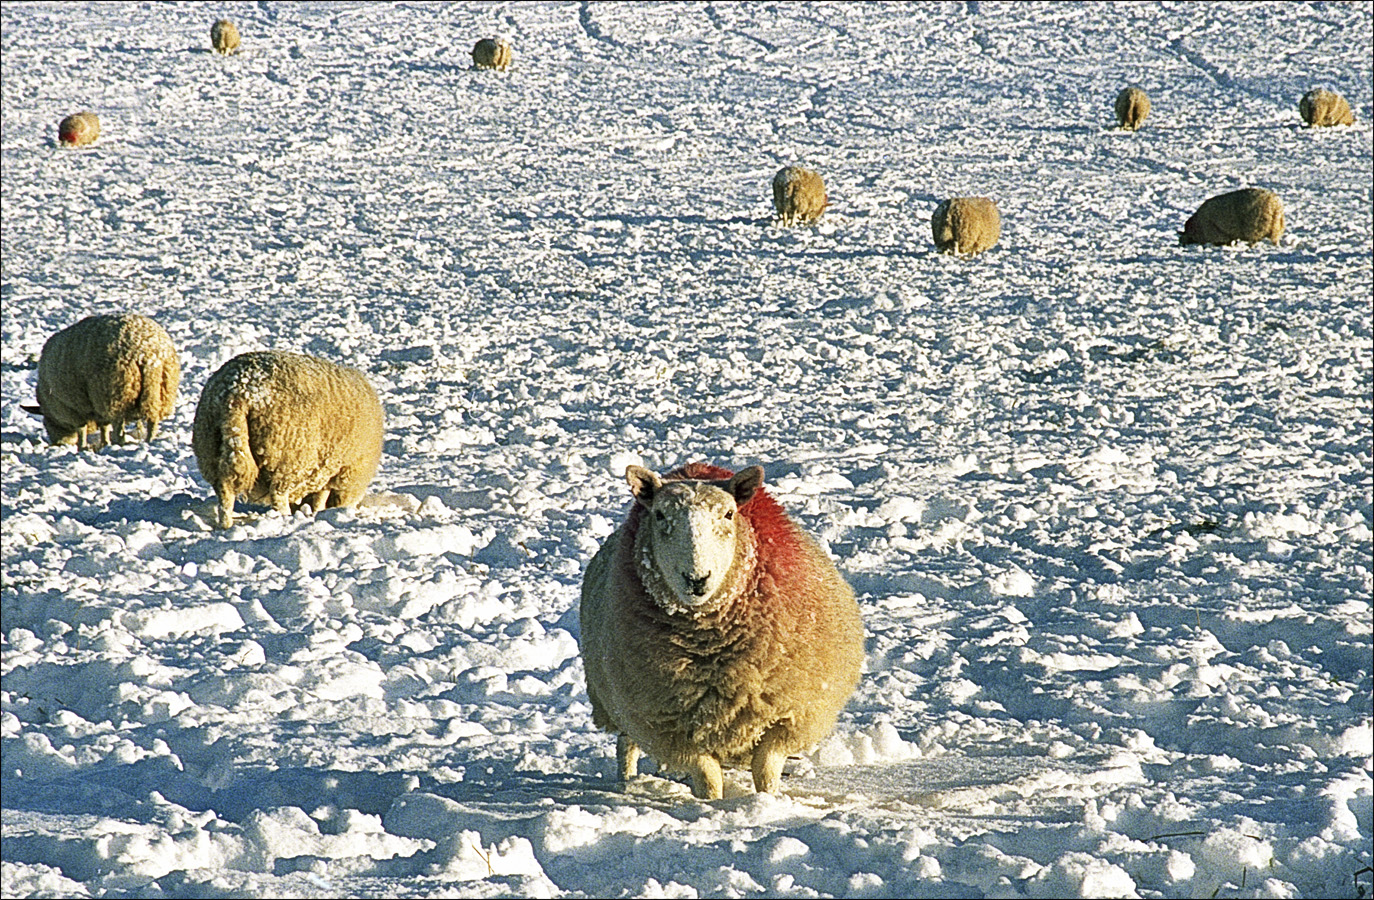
[1105,501]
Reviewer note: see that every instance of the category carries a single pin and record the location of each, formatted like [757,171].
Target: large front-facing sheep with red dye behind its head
[715,631]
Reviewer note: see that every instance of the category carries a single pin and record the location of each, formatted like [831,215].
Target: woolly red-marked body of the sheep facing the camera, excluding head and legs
[788,652]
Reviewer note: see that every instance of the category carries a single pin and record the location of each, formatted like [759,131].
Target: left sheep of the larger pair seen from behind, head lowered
[104,373]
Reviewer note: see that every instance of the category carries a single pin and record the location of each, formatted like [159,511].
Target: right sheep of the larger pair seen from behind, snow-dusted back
[288,431]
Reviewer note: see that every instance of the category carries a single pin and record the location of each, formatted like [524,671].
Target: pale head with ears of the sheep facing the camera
[693,528]
